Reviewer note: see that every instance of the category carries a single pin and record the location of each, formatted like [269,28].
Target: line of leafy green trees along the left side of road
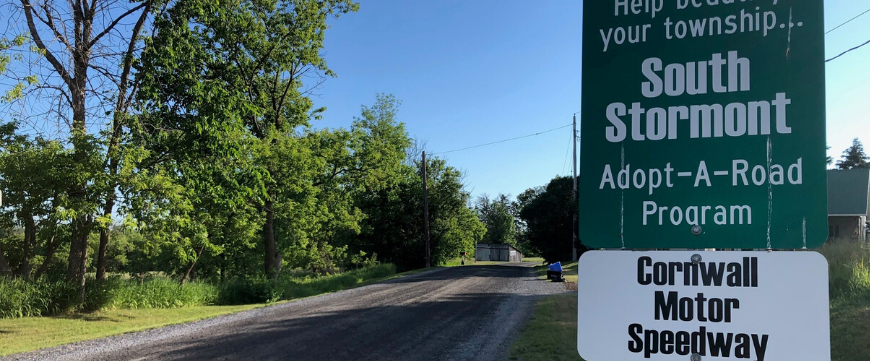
[177,136]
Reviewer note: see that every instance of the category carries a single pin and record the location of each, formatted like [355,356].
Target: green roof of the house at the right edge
[848,192]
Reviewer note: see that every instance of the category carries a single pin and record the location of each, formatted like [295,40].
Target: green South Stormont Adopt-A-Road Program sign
[703,124]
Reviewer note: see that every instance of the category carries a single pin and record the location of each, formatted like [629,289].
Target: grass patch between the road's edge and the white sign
[551,334]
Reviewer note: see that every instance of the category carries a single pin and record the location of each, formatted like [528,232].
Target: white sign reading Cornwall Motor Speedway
[726,306]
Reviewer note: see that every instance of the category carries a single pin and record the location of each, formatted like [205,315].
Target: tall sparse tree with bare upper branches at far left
[79,73]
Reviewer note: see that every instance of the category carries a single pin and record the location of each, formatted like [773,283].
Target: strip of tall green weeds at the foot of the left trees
[47,298]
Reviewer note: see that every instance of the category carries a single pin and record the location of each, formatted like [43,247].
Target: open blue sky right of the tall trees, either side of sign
[473,72]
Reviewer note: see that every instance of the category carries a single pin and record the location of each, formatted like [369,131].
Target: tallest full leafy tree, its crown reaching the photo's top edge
[240,66]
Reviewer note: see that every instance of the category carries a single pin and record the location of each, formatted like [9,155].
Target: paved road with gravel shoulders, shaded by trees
[460,313]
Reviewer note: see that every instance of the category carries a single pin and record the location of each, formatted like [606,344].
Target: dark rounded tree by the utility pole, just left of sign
[548,217]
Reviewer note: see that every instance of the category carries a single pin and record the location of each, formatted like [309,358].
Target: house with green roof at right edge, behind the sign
[848,203]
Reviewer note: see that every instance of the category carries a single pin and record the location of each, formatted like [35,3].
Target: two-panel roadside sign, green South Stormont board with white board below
[703,127]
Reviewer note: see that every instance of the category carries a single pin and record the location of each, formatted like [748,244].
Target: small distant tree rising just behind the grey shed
[496,216]
